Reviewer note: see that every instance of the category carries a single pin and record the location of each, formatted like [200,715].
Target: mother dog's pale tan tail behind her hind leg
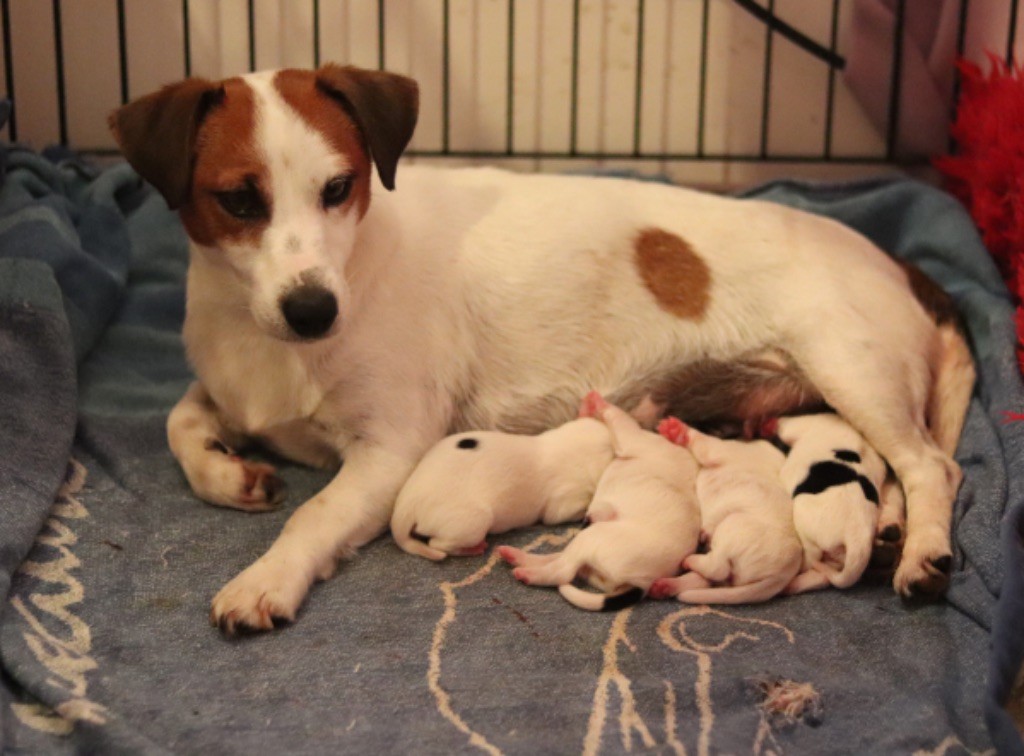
[953,384]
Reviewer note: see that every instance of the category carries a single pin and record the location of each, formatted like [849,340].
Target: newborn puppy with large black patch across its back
[835,479]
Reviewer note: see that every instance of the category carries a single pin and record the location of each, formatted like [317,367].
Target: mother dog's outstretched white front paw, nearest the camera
[261,598]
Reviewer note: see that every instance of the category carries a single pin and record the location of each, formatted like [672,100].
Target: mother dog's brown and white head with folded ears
[272,175]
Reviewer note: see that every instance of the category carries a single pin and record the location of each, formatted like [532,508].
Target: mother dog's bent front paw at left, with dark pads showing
[230,481]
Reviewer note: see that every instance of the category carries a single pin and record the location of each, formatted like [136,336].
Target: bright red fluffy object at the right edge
[988,172]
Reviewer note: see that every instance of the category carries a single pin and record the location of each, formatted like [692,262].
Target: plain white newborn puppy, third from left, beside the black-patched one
[747,518]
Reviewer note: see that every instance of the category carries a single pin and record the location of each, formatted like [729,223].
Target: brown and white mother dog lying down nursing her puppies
[330,317]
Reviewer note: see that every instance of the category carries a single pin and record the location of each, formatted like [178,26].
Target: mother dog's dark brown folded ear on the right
[385,106]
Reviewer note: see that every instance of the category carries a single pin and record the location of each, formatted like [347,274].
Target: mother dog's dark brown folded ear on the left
[157,135]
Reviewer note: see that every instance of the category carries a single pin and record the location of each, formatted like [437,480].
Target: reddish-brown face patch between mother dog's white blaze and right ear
[300,90]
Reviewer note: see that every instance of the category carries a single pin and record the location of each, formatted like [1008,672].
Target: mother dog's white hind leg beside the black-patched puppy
[882,390]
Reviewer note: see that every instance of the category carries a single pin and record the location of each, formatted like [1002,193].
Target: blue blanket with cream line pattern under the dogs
[108,563]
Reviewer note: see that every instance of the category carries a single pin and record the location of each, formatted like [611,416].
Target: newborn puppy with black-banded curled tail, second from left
[644,521]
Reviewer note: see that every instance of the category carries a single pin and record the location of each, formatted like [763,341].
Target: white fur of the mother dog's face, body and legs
[480,299]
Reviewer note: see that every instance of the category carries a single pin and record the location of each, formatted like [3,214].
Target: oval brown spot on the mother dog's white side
[670,269]
